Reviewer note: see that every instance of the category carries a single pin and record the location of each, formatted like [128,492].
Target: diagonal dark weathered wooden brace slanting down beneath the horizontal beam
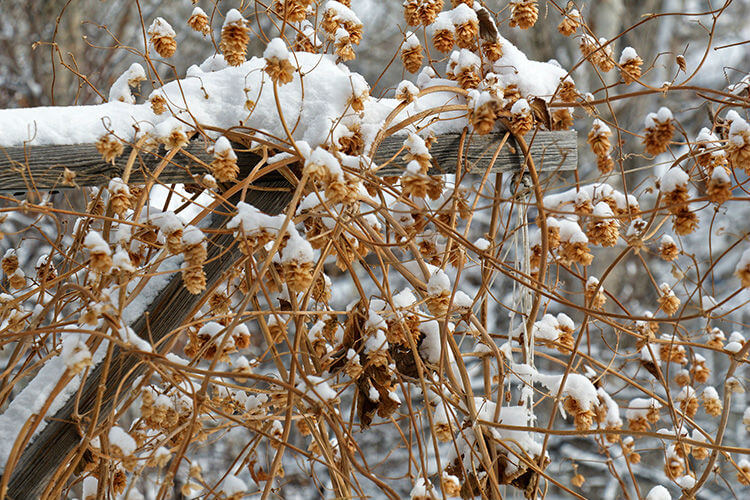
[46,453]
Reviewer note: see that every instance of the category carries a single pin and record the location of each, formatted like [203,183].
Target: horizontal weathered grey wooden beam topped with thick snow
[42,167]
